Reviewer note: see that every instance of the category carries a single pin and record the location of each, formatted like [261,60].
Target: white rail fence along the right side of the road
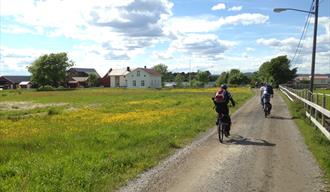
[316,111]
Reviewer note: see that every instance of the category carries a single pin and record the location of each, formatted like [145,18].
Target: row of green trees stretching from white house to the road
[276,71]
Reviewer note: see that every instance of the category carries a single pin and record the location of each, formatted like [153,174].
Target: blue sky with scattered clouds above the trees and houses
[184,35]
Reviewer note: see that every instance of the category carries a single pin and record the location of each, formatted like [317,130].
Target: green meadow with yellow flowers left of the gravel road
[96,139]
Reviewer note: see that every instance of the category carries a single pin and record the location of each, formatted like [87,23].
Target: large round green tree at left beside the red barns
[50,69]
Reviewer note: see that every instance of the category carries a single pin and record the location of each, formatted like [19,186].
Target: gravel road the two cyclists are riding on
[262,154]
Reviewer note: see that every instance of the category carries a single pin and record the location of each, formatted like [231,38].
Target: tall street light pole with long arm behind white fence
[316,14]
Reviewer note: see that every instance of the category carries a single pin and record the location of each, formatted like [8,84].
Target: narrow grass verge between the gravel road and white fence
[317,143]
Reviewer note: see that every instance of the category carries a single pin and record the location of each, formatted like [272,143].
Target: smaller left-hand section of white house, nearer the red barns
[118,77]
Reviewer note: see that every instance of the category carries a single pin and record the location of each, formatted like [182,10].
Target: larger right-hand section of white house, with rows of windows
[144,78]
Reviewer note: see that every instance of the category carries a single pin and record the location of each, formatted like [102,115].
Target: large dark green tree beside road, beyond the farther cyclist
[277,70]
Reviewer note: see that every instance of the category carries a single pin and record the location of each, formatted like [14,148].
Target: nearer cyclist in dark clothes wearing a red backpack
[221,100]
